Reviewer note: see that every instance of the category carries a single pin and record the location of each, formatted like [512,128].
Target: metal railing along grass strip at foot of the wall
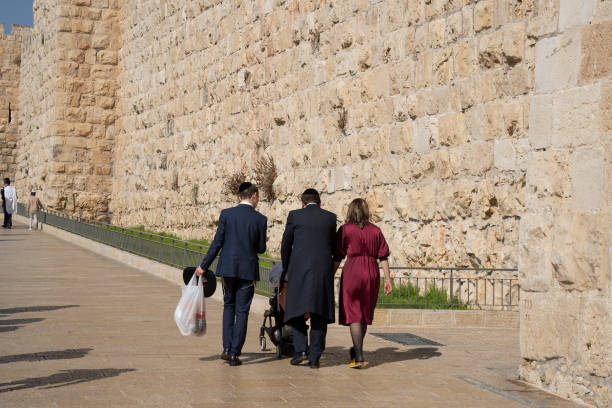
[413,287]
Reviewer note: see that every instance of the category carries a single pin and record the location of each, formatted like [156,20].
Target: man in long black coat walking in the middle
[306,251]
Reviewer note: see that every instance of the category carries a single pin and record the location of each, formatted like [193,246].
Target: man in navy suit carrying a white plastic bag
[242,235]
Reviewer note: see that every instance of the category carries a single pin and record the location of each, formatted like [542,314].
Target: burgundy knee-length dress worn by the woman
[360,279]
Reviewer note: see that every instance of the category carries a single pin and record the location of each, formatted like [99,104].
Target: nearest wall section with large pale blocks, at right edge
[566,232]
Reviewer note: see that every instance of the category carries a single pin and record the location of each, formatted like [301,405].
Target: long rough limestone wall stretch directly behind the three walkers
[434,93]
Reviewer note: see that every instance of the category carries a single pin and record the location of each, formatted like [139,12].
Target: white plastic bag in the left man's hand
[190,313]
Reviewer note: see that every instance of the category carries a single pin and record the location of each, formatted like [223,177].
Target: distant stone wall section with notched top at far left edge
[10,62]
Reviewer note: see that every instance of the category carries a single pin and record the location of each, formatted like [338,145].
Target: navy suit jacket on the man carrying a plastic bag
[242,235]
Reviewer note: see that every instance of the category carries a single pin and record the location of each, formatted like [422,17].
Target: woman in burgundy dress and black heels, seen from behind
[363,244]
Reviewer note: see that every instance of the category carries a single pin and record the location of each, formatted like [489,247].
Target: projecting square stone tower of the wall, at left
[69,93]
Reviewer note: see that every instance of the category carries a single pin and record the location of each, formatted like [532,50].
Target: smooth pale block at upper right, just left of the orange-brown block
[558,62]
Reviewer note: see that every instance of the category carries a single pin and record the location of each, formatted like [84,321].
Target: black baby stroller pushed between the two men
[273,326]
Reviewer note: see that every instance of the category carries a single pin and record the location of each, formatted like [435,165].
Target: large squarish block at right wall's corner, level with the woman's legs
[545,313]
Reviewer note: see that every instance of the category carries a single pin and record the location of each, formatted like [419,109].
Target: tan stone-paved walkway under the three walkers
[80,330]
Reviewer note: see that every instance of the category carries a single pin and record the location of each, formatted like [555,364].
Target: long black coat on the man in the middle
[307,251]
